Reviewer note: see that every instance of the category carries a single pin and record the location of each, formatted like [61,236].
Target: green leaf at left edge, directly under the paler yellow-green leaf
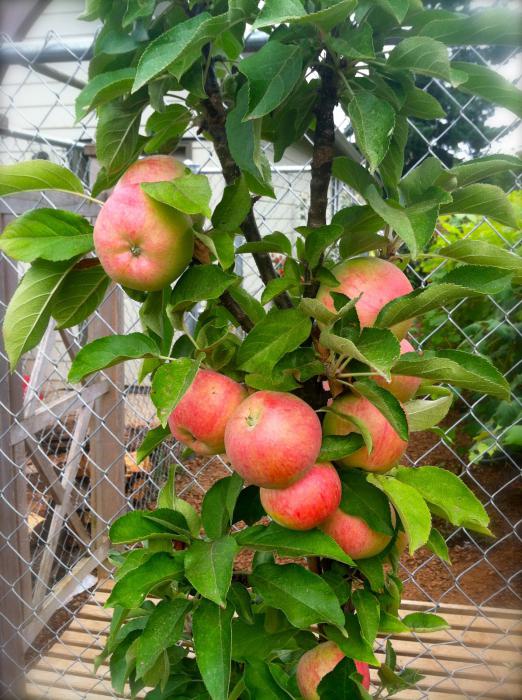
[49,234]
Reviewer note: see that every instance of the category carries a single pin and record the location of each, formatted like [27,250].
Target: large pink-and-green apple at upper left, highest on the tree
[142,244]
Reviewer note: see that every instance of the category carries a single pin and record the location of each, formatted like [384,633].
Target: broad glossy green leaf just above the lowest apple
[303,596]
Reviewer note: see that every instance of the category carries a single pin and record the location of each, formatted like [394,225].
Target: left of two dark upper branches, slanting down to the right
[215,119]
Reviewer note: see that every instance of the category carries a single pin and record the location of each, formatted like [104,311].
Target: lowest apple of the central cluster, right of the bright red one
[354,535]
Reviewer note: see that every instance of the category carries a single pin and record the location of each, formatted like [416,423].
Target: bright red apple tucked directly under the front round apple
[307,502]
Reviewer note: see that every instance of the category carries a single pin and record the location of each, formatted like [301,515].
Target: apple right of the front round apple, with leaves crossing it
[388,447]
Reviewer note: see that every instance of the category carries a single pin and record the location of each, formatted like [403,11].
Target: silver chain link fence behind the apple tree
[68,454]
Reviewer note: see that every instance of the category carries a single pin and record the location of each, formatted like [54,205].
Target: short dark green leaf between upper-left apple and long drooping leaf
[80,294]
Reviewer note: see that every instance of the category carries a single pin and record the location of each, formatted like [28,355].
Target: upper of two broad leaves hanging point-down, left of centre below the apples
[208,567]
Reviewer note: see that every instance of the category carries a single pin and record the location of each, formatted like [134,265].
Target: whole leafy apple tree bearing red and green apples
[311,391]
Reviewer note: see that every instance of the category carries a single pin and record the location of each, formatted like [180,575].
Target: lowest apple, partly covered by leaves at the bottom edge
[317,663]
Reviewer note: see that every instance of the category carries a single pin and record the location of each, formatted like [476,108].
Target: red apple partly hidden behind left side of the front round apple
[199,419]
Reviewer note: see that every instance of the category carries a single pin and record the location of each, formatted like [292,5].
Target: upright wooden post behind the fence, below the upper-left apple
[107,452]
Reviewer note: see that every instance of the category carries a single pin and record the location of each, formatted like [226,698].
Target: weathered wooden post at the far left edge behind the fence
[15,581]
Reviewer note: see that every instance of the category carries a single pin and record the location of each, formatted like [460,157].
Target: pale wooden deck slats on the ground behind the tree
[479,656]
